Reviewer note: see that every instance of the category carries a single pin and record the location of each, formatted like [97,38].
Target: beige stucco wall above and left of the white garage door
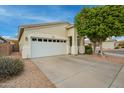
[56,31]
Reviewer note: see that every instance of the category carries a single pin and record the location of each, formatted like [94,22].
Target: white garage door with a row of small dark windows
[41,47]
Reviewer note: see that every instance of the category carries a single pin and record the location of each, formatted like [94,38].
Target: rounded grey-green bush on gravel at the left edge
[10,67]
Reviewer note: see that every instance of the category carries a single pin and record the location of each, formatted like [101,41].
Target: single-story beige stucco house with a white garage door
[40,40]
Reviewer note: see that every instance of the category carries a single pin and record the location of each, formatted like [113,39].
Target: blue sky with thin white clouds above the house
[13,16]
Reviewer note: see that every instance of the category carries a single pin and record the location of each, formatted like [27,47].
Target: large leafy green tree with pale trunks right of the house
[99,23]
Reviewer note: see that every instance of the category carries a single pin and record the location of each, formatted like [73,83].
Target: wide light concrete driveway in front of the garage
[75,72]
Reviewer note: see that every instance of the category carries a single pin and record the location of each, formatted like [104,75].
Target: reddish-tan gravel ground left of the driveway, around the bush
[32,77]
